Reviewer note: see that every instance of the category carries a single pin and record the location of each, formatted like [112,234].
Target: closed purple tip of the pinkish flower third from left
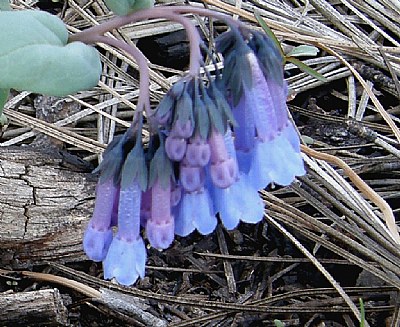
[160,235]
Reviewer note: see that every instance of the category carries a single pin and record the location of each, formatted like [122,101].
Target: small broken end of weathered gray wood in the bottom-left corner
[35,308]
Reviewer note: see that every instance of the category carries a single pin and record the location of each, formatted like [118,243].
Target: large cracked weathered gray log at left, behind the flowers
[44,206]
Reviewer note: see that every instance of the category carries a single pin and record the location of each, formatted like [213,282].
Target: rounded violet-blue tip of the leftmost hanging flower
[96,242]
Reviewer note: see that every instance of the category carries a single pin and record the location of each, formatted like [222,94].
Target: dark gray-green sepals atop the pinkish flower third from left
[160,168]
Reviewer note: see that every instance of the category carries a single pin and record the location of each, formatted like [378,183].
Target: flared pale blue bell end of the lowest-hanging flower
[125,260]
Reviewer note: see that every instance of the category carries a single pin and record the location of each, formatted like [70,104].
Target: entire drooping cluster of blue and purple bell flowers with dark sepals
[218,141]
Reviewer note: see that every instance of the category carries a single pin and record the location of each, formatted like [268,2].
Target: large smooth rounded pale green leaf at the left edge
[35,55]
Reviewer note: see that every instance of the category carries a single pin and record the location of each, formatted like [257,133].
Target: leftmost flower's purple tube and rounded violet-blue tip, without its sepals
[98,234]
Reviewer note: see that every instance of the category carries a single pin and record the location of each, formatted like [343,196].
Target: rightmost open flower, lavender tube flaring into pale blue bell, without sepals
[276,157]
